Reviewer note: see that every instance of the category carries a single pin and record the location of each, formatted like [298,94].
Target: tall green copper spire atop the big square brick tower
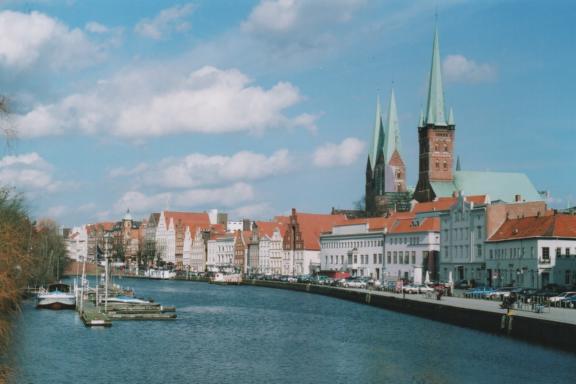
[435,113]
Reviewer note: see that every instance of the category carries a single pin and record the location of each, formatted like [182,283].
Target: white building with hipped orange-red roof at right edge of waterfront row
[533,252]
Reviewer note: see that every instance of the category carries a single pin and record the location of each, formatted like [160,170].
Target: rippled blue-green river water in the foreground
[244,334]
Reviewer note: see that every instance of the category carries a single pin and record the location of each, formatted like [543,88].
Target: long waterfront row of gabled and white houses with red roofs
[451,238]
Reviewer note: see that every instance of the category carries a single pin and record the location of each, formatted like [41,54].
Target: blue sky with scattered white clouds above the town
[256,107]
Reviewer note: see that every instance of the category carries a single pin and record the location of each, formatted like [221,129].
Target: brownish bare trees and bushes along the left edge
[31,255]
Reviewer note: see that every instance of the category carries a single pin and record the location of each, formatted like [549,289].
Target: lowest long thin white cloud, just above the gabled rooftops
[141,203]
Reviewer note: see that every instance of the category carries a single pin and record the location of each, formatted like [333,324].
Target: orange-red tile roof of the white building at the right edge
[539,226]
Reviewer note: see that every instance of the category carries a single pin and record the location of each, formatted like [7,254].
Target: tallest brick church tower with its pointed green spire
[435,135]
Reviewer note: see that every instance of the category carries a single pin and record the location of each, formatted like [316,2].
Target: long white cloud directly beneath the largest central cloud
[198,169]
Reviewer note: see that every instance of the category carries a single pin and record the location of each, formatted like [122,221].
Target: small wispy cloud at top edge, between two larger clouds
[167,21]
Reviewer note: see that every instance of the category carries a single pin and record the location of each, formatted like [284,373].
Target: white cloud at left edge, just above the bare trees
[28,173]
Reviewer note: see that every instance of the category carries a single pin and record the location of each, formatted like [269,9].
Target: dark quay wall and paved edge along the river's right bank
[556,328]
